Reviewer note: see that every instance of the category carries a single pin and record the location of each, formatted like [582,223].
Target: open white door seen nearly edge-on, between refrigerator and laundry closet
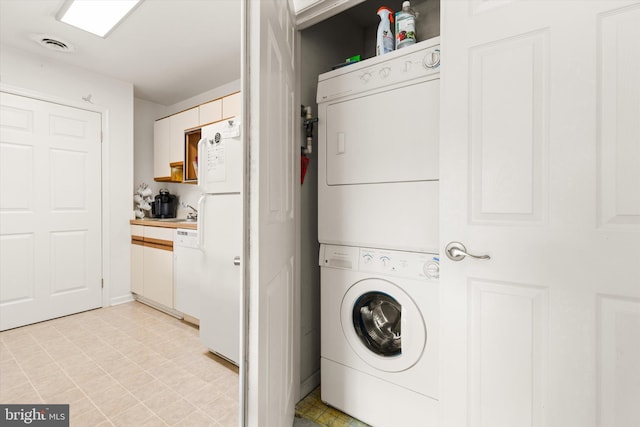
[273,186]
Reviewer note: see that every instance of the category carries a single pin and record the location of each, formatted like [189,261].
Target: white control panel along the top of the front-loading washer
[411,265]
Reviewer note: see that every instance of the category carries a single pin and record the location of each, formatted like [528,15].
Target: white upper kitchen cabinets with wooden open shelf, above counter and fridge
[176,138]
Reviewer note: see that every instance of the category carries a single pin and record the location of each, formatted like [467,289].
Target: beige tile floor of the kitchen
[126,365]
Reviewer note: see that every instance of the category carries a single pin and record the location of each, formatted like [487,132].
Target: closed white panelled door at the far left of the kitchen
[50,211]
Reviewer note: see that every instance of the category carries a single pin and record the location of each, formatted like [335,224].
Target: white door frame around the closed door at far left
[104,175]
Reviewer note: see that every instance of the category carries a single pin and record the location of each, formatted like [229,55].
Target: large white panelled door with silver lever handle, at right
[541,171]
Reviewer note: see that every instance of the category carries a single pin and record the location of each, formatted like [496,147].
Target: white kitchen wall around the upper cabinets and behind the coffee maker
[145,114]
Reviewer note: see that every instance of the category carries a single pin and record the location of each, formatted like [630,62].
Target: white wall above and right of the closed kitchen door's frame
[54,79]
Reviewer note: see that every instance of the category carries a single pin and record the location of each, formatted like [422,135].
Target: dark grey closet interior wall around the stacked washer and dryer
[323,46]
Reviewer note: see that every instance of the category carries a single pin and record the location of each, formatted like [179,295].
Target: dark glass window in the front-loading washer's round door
[376,319]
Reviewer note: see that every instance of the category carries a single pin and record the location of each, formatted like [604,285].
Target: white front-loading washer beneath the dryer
[379,334]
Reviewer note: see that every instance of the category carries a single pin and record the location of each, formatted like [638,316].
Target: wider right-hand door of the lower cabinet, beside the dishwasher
[158,275]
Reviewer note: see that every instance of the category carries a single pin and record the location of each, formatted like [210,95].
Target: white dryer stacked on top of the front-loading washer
[378,140]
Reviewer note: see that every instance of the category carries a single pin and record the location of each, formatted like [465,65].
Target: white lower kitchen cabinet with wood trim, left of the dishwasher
[152,264]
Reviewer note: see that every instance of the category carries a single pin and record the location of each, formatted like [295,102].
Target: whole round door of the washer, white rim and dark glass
[383,325]
